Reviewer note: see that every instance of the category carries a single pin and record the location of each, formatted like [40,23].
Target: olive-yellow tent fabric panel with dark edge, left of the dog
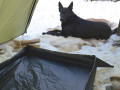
[15,17]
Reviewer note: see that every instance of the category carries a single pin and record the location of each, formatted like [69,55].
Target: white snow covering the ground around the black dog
[46,16]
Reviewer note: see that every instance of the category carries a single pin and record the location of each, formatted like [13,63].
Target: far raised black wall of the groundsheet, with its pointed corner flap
[88,59]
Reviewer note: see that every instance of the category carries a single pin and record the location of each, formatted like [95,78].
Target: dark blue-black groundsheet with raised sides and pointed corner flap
[39,69]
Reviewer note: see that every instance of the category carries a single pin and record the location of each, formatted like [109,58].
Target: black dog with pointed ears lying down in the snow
[72,25]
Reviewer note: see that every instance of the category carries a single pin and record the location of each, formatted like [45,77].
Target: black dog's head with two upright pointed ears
[65,12]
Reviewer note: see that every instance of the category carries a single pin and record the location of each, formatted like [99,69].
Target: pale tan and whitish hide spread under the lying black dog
[65,44]
